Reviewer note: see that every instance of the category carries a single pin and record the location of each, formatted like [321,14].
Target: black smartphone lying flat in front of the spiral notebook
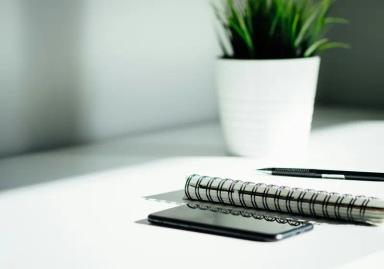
[234,223]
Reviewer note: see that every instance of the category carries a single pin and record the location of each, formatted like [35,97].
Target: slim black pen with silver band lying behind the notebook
[320,173]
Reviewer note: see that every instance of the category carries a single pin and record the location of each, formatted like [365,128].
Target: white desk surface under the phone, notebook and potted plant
[78,207]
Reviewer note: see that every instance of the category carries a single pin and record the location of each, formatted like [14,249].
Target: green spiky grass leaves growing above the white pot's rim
[275,29]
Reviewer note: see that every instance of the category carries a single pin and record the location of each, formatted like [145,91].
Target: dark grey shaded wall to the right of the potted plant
[355,77]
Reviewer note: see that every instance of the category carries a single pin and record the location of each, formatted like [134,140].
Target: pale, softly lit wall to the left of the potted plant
[74,71]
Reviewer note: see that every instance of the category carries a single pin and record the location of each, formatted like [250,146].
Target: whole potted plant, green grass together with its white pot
[267,75]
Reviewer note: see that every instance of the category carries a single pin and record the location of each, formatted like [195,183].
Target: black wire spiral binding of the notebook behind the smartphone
[306,202]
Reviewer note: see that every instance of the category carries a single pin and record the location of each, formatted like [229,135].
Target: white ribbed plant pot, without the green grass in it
[266,106]
